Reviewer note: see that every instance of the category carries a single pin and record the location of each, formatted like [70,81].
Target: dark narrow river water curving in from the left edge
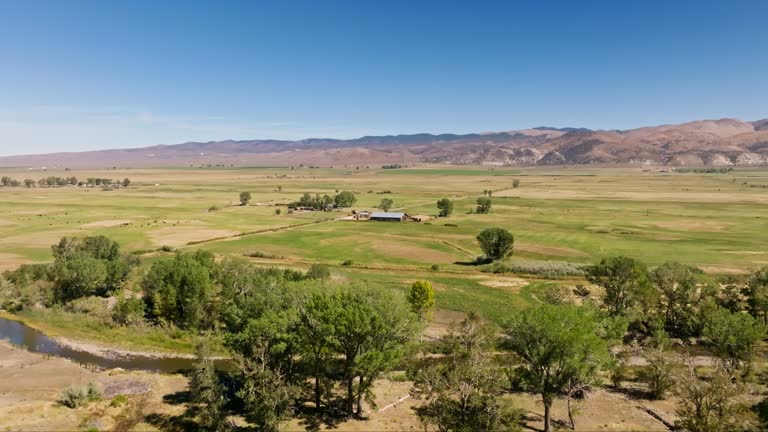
[33,340]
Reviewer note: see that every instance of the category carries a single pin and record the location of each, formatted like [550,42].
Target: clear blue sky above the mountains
[77,75]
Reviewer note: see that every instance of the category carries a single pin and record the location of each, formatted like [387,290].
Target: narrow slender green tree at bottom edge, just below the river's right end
[207,392]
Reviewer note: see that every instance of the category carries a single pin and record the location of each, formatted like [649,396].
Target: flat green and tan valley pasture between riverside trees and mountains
[718,222]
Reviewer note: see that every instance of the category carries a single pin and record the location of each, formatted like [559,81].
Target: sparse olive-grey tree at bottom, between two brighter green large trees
[462,389]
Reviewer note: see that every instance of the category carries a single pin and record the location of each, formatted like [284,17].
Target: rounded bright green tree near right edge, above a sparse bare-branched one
[732,337]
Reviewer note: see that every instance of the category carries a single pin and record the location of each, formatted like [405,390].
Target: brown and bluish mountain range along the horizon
[724,142]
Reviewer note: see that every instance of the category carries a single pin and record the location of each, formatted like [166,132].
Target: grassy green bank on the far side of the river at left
[78,334]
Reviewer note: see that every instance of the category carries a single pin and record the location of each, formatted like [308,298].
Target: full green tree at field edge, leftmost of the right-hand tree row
[624,280]
